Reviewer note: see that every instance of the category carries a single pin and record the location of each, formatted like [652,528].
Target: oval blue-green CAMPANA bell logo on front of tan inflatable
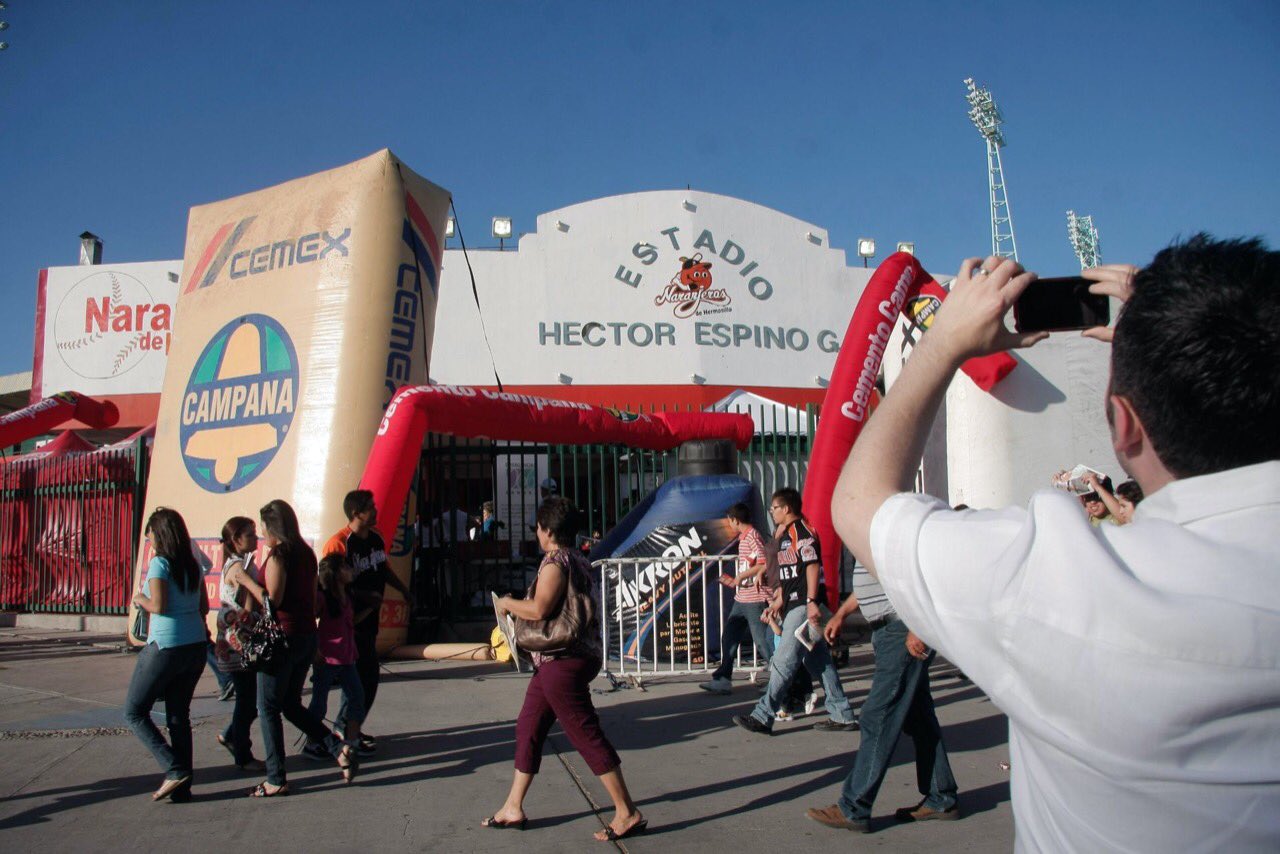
[240,403]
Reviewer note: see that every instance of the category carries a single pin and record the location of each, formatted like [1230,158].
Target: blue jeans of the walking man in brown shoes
[899,702]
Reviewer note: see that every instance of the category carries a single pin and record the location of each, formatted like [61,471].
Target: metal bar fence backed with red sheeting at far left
[68,528]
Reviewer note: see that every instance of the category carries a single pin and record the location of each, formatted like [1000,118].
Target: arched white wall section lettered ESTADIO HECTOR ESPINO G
[584,303]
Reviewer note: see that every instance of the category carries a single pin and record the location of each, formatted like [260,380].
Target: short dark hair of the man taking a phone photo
[1195,353]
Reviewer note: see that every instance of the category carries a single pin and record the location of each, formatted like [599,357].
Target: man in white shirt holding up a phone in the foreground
[1139,665]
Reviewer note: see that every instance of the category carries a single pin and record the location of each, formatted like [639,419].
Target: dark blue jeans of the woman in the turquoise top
[168,675]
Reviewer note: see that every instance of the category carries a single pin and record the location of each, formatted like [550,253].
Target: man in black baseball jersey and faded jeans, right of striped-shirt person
[797,597]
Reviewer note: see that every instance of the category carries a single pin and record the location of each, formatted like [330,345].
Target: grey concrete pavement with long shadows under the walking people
[76,779]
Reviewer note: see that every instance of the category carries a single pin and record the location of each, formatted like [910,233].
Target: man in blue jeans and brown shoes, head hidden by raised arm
[899,702]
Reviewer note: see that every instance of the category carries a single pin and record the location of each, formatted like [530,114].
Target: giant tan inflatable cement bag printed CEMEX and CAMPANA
[301,309]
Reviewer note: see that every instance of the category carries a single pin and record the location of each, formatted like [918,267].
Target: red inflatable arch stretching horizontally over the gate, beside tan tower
[477,413]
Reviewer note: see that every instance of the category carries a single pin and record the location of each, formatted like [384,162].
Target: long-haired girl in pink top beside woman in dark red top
[336,636]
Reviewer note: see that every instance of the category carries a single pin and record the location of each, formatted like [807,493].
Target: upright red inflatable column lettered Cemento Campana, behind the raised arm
[899,287]
